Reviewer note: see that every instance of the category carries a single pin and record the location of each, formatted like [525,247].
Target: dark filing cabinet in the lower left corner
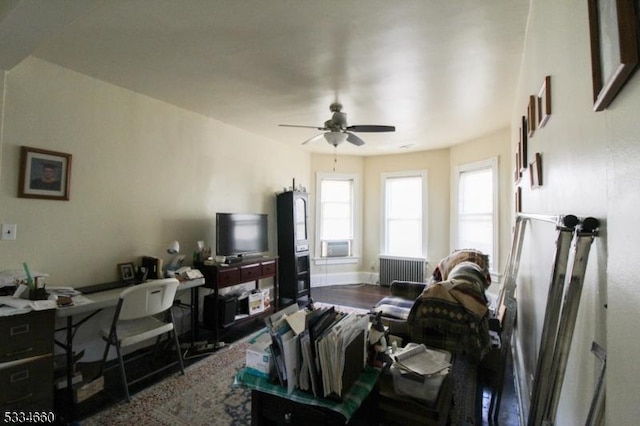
[26,361]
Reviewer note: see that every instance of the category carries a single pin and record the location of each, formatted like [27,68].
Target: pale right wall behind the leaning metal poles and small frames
[589,169]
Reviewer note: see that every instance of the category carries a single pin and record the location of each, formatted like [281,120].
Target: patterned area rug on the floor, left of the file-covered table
[202,396]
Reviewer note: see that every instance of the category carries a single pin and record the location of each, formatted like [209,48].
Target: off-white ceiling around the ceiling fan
[441,71]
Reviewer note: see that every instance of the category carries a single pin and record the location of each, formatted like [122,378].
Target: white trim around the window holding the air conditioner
[357,220]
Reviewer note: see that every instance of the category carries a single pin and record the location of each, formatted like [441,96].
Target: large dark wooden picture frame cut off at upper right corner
[614,48]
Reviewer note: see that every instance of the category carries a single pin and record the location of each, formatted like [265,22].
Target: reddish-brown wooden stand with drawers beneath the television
[222,275]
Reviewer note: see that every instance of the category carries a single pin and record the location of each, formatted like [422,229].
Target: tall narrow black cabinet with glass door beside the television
[293,246]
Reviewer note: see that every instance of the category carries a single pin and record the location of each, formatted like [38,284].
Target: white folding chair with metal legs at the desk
[137,319]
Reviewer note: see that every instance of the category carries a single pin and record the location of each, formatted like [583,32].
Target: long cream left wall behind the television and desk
[143,174]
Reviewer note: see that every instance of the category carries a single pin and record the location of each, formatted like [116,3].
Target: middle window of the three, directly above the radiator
[404,222]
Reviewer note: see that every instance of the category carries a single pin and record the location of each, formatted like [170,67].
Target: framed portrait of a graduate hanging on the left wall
[44,174]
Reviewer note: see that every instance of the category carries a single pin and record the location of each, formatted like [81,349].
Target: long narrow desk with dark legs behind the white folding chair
[107,299]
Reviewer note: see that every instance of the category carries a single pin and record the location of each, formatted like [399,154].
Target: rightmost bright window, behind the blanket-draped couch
[476,208]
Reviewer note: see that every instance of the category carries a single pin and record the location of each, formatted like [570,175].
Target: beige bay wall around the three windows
[439,165]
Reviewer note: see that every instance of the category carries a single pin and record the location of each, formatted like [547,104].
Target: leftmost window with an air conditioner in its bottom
[336,215]
